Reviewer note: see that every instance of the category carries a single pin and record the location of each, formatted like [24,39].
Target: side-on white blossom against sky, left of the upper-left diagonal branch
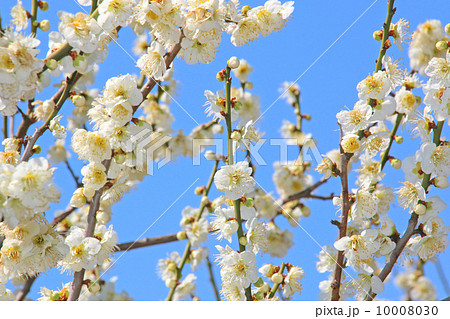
[152,63]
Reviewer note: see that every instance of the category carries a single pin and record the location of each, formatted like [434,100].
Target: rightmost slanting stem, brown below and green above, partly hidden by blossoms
[412,223]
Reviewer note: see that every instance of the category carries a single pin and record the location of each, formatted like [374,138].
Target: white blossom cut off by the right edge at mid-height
[434,159]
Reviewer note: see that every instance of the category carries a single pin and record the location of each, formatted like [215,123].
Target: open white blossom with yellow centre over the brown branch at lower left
[83,251]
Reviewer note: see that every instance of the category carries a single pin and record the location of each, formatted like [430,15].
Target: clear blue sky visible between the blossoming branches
[327,84]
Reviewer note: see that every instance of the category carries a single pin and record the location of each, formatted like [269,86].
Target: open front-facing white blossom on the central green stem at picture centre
[235,180]
